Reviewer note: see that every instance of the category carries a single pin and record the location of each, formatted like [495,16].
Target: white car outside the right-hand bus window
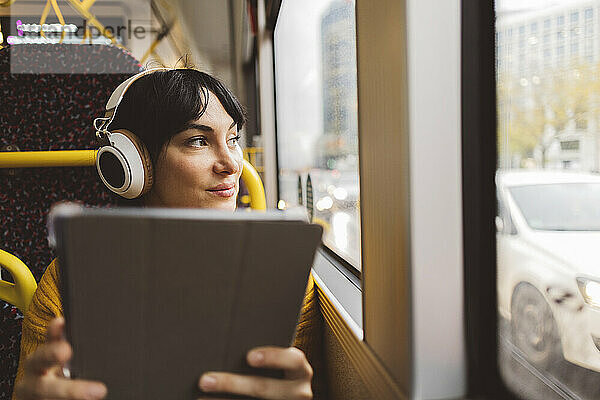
[548,246]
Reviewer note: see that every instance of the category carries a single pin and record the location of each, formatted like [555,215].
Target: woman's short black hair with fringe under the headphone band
[157,106]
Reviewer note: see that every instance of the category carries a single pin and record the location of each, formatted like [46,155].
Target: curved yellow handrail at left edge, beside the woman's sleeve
[21,292]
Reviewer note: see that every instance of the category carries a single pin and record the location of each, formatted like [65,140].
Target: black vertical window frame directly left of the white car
[479,196]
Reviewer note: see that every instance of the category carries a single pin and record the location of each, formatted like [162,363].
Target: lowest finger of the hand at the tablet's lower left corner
[60,388]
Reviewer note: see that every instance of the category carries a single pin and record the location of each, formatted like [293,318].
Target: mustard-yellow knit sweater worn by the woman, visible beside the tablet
[46,305]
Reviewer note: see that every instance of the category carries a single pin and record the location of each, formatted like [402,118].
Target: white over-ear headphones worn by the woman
[123,163]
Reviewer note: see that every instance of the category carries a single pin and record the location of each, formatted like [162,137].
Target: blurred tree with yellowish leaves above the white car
[532,111]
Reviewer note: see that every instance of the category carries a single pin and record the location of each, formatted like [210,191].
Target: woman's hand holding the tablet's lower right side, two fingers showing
[295,385]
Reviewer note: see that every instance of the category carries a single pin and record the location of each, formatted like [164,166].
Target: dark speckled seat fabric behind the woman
[47,111]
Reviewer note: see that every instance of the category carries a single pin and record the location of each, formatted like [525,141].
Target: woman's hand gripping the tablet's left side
[43,377]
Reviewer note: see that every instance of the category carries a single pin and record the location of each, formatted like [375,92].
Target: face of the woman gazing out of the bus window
[201,166]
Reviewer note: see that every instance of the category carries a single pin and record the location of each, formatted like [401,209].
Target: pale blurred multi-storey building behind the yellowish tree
[532,47]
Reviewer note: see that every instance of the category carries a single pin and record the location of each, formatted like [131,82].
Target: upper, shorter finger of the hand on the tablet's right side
[291,359]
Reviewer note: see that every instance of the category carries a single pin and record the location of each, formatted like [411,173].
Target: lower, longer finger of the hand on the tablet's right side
[256,386]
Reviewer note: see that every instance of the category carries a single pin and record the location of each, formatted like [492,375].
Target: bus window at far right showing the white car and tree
[548,280]
